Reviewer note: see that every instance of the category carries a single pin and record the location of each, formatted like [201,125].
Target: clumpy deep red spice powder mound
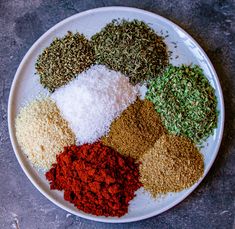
[95,178]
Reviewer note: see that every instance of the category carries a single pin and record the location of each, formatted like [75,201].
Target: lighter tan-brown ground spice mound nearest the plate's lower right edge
[173,164]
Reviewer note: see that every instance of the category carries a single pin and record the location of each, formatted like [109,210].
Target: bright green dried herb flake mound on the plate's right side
[186,102]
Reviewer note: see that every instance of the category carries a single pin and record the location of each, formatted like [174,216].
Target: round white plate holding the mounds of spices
[26,86]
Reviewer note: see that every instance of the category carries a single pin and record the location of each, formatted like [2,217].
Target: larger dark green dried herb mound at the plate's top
[132,48]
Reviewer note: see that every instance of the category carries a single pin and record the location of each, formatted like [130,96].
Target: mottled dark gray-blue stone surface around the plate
[211,23]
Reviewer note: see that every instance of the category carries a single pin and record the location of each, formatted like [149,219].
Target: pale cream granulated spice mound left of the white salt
[42,133]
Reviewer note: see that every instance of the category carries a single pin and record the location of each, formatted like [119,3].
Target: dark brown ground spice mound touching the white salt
[135,130]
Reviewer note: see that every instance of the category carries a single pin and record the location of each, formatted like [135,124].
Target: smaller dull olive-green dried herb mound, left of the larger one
[63,59]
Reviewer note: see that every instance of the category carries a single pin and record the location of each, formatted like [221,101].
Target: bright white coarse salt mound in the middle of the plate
[93,100]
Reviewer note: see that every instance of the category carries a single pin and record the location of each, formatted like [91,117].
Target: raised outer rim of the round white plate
[11,122]
